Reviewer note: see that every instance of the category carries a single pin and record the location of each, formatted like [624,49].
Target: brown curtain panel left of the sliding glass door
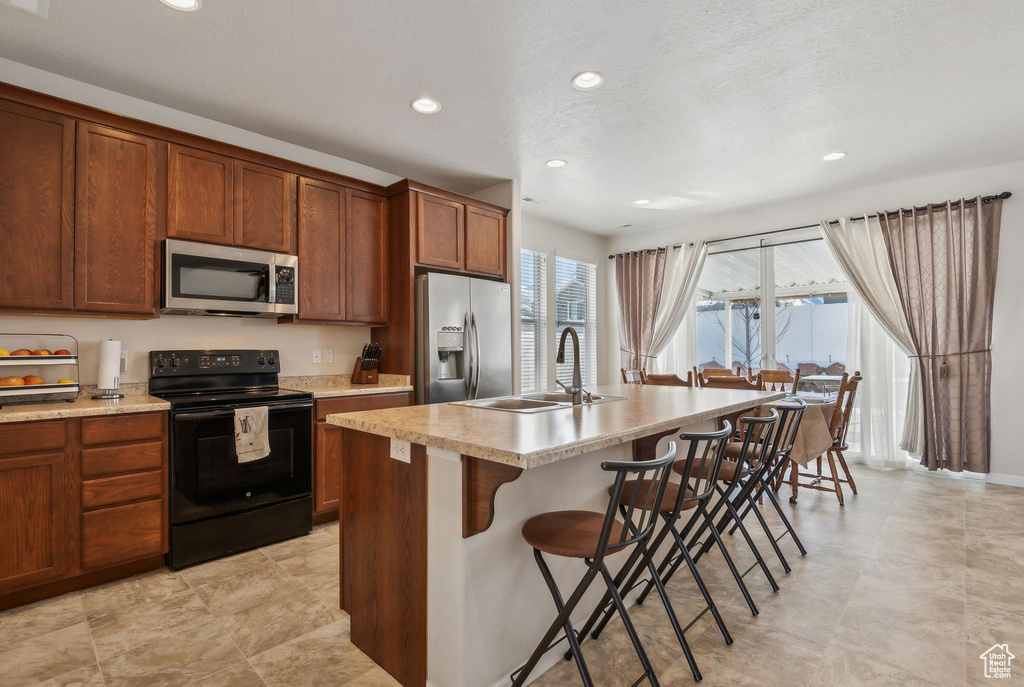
[639,278]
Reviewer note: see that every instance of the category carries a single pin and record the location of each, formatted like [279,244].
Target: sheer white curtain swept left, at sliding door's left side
[681,276]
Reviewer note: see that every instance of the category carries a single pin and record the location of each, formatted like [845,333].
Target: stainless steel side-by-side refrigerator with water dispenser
[463,338]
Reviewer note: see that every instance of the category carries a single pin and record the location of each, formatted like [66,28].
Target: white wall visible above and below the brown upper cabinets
[139,337]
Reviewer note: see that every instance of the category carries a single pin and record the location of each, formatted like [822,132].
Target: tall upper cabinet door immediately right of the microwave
[322,250]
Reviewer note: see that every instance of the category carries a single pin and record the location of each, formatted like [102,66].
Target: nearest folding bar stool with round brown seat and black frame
[590,537]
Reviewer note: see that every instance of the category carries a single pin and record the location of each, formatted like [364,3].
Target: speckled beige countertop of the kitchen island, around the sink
[530,441]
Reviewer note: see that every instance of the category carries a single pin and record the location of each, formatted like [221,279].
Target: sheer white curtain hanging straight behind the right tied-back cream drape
[877,424]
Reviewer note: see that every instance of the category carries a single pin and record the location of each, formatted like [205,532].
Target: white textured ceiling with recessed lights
[723,103]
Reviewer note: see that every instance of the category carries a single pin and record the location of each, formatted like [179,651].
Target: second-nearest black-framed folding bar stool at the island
[700,473]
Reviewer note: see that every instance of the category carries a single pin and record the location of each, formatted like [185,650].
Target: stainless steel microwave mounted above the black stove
[204,280]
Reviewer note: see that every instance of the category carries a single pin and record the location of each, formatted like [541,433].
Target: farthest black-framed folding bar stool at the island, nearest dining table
[765,476]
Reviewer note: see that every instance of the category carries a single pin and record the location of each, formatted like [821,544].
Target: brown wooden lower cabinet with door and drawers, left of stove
[80,499]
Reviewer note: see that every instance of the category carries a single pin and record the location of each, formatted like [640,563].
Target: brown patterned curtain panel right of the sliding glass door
[945,262]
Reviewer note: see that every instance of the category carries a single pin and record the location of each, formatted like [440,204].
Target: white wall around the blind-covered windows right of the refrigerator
[553,239]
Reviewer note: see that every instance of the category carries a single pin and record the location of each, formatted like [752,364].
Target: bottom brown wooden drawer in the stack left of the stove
[122,534]
